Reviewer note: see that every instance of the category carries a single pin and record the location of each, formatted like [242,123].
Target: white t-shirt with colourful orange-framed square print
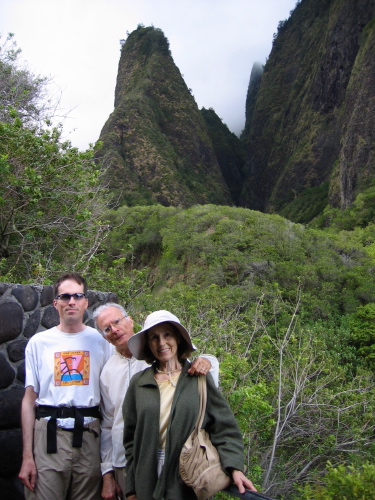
[64,368]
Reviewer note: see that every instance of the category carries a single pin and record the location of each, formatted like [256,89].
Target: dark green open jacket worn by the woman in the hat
[141,410]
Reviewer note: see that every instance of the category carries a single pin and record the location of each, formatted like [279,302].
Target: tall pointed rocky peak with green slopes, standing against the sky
[155,143]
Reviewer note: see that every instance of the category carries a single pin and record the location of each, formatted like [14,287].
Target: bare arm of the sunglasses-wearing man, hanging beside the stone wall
[28,469]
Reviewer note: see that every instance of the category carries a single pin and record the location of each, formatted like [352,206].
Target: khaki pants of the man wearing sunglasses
[71,473]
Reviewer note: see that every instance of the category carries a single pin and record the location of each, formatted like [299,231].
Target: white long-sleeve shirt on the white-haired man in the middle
[114,382]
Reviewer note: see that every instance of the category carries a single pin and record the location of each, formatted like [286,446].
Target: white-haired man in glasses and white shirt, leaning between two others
[117,327]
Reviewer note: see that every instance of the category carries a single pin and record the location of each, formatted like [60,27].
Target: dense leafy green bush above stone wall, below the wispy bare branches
[51,202]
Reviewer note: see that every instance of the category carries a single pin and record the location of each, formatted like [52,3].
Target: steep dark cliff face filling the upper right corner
[313,121]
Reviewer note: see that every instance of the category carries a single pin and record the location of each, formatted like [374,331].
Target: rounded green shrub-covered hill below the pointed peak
[238,247]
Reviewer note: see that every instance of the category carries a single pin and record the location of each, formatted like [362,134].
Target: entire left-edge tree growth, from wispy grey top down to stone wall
[51,195]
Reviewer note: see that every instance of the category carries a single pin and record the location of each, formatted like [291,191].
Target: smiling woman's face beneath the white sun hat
[163,342]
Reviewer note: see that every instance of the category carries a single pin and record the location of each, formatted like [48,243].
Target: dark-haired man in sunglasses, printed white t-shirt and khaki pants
[60,408]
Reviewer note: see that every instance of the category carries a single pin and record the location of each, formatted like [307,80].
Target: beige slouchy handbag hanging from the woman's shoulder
[200,465]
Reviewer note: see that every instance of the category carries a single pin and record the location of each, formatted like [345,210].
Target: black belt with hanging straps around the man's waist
[56,412]
